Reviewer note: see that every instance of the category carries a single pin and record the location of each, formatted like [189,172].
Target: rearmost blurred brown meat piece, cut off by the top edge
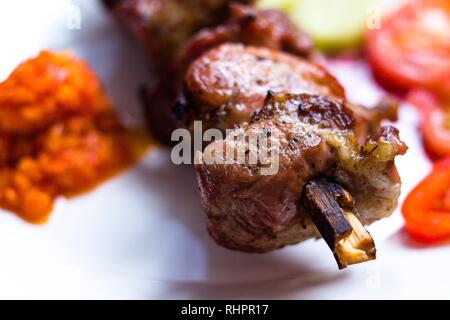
[164,26]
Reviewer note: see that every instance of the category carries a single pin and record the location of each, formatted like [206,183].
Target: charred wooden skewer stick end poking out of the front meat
[333,212]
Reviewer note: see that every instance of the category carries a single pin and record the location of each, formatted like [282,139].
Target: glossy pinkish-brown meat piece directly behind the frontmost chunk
[228,84]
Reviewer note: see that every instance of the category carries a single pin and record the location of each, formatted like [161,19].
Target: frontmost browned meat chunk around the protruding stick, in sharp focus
[252,212]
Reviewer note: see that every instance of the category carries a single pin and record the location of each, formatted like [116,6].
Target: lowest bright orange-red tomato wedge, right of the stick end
[427,208]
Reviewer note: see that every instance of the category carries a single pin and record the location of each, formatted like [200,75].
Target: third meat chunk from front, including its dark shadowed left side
[246,25]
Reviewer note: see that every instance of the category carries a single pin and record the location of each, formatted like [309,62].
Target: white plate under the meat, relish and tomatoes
[142,234]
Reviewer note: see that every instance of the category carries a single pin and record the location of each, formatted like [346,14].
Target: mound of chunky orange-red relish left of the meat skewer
[58,134]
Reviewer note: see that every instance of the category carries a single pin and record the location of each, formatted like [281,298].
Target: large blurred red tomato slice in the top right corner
[412,48]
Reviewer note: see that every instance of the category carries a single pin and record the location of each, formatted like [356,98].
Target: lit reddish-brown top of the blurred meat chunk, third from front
[250,26]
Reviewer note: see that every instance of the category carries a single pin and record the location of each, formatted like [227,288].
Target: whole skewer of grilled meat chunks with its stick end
[321,135]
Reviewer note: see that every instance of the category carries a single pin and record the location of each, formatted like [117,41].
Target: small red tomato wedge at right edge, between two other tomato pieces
[435,122]
